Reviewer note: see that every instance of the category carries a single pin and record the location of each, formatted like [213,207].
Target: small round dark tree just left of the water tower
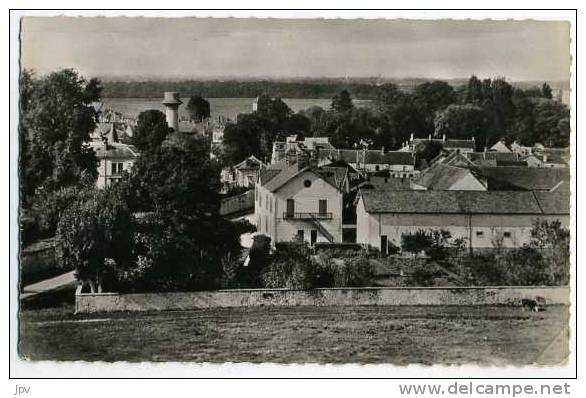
[151,130]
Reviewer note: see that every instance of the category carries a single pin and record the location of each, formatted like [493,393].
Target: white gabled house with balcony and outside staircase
[298,201]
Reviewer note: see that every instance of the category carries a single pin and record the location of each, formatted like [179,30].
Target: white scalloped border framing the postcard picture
[21,368]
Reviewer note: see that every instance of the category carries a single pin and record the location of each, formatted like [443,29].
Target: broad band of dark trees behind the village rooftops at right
[488,110]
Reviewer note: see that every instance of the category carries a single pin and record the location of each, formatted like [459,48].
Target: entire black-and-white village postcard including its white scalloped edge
[294,190]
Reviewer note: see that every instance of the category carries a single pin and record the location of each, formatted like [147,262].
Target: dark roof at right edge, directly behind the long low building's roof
[528,178]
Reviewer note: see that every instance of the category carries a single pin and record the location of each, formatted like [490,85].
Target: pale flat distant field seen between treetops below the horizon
[226,107]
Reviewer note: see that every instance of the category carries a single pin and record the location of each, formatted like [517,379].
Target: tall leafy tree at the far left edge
[55,124]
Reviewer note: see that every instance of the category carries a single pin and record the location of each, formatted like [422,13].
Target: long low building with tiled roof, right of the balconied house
[482,219]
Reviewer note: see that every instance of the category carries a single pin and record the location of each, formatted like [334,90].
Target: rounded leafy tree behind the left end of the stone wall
[94,237]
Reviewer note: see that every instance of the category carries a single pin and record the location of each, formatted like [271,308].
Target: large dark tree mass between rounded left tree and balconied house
[181,242]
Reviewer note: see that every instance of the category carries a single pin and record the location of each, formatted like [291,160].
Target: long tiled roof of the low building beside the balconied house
[462,202]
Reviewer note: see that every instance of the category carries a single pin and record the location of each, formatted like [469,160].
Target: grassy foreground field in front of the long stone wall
[395,335]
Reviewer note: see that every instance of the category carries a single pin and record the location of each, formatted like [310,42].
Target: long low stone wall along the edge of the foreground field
[108,302]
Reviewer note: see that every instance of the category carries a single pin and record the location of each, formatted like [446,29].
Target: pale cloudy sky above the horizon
[201,48]
